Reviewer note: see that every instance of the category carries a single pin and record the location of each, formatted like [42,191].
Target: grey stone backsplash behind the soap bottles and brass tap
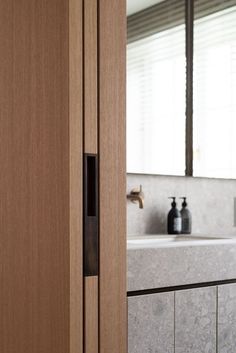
[211,202]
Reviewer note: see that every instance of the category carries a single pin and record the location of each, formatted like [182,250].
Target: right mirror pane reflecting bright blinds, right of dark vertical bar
[214,89]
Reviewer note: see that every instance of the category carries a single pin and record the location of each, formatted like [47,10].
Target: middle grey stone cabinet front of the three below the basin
[195,321]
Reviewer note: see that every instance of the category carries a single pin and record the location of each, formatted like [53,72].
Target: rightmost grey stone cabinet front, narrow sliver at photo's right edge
[227,318]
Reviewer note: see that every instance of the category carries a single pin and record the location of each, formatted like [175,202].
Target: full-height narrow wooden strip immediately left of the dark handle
[76,168]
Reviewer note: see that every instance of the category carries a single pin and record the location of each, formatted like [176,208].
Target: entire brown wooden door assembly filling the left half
[62,109]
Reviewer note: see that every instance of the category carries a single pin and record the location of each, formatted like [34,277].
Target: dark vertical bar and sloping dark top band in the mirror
[135,33]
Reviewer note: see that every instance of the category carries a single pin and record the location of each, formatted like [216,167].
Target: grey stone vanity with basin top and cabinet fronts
[180,295]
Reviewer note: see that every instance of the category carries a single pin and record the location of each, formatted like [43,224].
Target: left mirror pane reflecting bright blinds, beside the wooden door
[156,81]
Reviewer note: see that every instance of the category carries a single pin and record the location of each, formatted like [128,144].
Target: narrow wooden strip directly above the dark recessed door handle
[90,76]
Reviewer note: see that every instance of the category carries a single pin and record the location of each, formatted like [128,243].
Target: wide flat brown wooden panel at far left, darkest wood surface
[35,177]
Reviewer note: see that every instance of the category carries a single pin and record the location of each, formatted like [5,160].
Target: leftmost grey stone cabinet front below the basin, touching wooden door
[151,323]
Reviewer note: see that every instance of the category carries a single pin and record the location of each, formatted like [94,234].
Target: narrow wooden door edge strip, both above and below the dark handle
[90,146]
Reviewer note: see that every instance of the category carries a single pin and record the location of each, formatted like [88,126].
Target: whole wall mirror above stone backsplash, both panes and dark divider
[181,87]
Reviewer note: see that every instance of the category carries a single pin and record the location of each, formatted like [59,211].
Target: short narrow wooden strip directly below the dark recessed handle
[91,314]
